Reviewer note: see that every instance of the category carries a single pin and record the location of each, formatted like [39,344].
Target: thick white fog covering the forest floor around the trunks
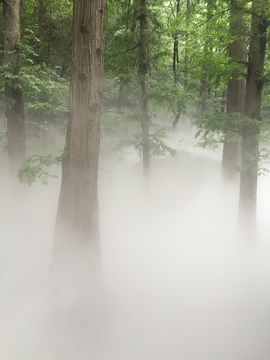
[179,280]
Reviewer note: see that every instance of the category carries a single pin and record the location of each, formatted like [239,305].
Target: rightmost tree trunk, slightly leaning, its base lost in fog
[250,144]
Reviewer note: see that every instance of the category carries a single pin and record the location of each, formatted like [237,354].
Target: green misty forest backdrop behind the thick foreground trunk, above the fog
[205,64]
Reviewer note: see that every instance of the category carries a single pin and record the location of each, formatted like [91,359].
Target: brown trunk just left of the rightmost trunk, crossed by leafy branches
[231,156]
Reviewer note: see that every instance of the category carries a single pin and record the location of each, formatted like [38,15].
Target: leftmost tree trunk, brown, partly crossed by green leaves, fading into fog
[14,96]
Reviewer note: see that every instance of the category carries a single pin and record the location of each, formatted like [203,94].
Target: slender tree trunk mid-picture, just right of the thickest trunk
[143,66]
